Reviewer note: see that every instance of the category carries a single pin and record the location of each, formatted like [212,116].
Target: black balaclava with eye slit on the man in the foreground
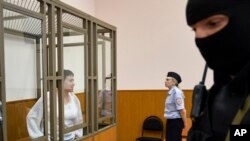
[228,50]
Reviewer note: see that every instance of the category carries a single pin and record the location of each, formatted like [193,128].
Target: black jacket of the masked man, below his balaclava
[224,99]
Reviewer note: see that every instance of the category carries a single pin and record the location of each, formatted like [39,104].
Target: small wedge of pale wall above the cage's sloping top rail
[87,6]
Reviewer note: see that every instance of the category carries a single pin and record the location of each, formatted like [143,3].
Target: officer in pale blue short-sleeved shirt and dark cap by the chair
[175,111]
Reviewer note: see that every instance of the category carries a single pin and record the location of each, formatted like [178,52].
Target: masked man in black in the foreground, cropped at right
[222,34]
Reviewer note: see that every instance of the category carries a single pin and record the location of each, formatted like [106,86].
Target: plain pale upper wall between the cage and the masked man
[152,39]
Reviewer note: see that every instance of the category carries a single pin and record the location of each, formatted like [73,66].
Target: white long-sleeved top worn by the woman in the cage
[72,116]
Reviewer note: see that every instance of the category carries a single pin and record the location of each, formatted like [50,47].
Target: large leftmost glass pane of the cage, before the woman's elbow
[23,75]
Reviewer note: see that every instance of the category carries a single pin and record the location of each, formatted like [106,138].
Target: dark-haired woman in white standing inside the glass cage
[72,112]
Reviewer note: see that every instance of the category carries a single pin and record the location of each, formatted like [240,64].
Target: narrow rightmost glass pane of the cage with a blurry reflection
[105,97]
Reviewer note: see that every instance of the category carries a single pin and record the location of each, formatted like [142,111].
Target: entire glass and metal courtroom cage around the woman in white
[41,38]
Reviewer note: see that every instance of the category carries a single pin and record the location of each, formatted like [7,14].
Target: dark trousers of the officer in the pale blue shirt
[174,129]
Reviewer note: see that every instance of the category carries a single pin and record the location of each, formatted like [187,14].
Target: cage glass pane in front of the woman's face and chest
[74,60]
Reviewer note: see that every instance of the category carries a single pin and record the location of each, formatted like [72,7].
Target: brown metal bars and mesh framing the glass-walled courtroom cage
[55,15]
